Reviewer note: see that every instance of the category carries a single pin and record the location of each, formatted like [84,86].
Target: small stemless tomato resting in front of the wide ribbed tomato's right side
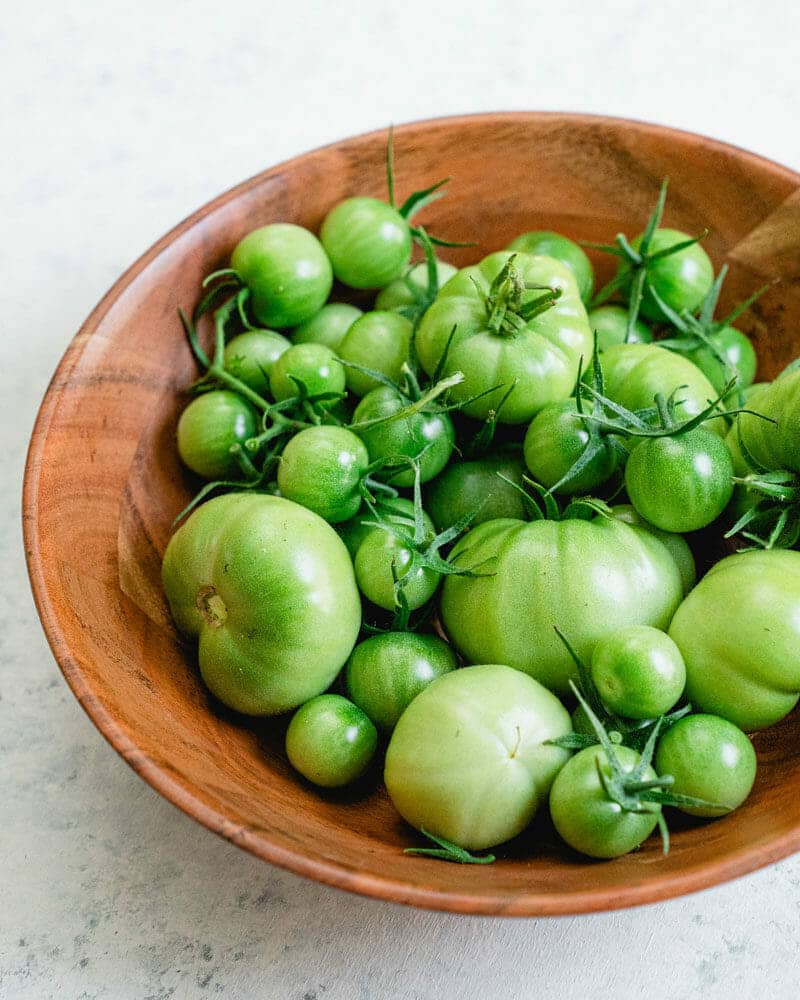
[639,672]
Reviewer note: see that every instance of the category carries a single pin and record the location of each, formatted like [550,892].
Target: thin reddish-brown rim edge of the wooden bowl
[692,879]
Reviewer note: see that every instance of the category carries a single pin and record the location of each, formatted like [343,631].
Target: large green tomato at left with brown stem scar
[268,589]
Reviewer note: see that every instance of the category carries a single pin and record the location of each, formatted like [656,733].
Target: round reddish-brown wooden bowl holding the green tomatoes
[103,485]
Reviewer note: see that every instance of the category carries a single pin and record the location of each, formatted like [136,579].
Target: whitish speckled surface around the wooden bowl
[117,121]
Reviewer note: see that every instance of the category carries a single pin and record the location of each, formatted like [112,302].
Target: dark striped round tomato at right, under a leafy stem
[680,483]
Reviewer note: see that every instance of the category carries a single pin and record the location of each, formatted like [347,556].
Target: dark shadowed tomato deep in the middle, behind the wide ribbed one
[475,487]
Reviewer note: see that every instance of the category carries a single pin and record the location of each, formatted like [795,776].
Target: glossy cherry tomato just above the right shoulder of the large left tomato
[322,468]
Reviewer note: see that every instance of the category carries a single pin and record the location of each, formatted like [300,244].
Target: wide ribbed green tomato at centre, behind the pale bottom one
[588,578]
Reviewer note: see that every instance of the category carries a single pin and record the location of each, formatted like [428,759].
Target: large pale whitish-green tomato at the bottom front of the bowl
[469,760]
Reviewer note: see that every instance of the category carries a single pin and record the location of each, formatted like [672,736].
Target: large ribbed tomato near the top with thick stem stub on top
[540,356]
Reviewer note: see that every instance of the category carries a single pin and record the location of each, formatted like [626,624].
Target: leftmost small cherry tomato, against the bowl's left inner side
[209,427]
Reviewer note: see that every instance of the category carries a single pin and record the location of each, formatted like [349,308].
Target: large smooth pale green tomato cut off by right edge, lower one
[739,634]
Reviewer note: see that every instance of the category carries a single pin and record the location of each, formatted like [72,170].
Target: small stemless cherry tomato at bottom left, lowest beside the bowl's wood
[330,741]
